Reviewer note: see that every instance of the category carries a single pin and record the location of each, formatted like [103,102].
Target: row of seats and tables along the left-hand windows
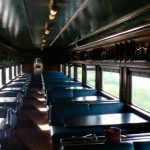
[11,101]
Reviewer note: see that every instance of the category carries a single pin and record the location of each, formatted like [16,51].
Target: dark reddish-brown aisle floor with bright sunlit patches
[32,131]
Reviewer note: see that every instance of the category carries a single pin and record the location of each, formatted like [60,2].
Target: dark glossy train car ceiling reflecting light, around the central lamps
[22,22]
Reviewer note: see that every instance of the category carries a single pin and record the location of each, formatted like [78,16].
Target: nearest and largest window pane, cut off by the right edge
[140,92]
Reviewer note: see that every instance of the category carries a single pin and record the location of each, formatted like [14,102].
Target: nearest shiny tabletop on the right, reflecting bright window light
[105,120]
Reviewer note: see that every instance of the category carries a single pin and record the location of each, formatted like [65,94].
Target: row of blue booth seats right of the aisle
[60,90]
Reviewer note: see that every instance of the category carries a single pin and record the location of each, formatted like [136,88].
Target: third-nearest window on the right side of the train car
[90,72]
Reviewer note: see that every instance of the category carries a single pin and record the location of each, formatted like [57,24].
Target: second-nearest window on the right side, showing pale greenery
[110,82]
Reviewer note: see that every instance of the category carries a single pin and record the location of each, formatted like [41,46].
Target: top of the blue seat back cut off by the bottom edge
[128,145]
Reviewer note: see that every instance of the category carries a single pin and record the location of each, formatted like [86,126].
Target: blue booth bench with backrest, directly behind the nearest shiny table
[60,110]
